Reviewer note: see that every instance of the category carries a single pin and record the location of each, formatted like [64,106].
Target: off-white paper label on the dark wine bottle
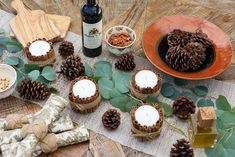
[92,35]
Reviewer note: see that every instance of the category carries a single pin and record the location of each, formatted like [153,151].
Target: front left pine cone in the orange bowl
[178,58]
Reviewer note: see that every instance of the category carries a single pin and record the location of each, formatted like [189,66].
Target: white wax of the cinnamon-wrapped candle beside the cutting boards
[39,48]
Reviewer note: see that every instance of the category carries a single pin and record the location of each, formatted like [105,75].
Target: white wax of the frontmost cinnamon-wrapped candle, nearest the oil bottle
[147,115]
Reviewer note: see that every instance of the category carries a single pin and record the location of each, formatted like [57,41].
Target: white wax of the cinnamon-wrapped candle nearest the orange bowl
[146,78]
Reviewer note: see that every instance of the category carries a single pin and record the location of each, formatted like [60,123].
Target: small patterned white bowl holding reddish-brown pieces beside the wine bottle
[118,50]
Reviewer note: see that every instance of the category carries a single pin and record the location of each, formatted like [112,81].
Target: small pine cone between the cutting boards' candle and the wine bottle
[66,49]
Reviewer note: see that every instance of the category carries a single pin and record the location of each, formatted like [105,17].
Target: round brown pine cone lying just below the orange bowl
[183,107]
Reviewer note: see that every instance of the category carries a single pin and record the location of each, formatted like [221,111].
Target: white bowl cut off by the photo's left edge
[8,72]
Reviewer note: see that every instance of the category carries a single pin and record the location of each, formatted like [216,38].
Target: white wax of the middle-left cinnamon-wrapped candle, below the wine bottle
[84,88]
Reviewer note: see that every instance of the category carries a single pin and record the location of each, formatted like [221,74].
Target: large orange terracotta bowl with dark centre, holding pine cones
[154,36]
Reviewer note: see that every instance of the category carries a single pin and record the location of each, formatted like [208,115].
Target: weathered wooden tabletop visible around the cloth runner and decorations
[138,14]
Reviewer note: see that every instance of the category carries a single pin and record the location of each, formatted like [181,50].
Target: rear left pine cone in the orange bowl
[178,38]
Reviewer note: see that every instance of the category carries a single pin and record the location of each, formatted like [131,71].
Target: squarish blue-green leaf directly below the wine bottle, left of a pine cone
[103,69]
